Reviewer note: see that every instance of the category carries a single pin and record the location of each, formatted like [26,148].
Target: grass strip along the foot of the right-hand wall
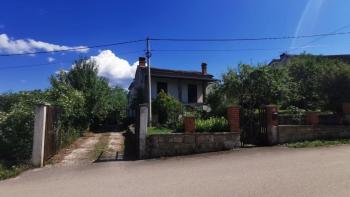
[317,143]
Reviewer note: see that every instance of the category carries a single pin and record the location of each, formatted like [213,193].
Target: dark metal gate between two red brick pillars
[254,125]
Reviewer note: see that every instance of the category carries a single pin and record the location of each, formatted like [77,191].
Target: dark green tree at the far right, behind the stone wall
[318,83]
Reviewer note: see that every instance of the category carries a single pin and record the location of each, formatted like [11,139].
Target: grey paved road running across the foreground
[269,171]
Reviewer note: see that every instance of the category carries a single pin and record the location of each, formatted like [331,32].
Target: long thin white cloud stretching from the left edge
[11,46]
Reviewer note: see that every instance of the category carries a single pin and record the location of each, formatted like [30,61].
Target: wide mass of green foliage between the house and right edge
[305,82]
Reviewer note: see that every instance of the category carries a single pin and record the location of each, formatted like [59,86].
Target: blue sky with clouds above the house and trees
[29,26]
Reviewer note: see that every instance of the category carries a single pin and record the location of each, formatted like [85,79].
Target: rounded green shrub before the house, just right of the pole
[168,109]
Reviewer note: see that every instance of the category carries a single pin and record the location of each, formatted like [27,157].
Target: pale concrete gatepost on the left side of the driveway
[39,136]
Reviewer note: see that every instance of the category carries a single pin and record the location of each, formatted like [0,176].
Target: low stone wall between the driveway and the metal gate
[159,145]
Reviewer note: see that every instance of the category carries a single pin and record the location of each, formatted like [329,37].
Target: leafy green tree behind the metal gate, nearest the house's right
[255,86]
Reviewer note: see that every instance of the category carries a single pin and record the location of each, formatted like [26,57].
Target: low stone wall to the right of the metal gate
[294,133]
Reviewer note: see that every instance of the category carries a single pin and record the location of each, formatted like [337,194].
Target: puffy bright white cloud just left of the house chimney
[119,71]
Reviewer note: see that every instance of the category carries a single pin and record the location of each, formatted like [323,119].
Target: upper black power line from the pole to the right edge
[247,39]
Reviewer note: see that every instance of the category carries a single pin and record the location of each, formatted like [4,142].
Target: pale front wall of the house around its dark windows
[173,88]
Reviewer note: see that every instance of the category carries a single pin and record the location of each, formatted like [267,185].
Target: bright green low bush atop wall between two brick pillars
[212,125]
